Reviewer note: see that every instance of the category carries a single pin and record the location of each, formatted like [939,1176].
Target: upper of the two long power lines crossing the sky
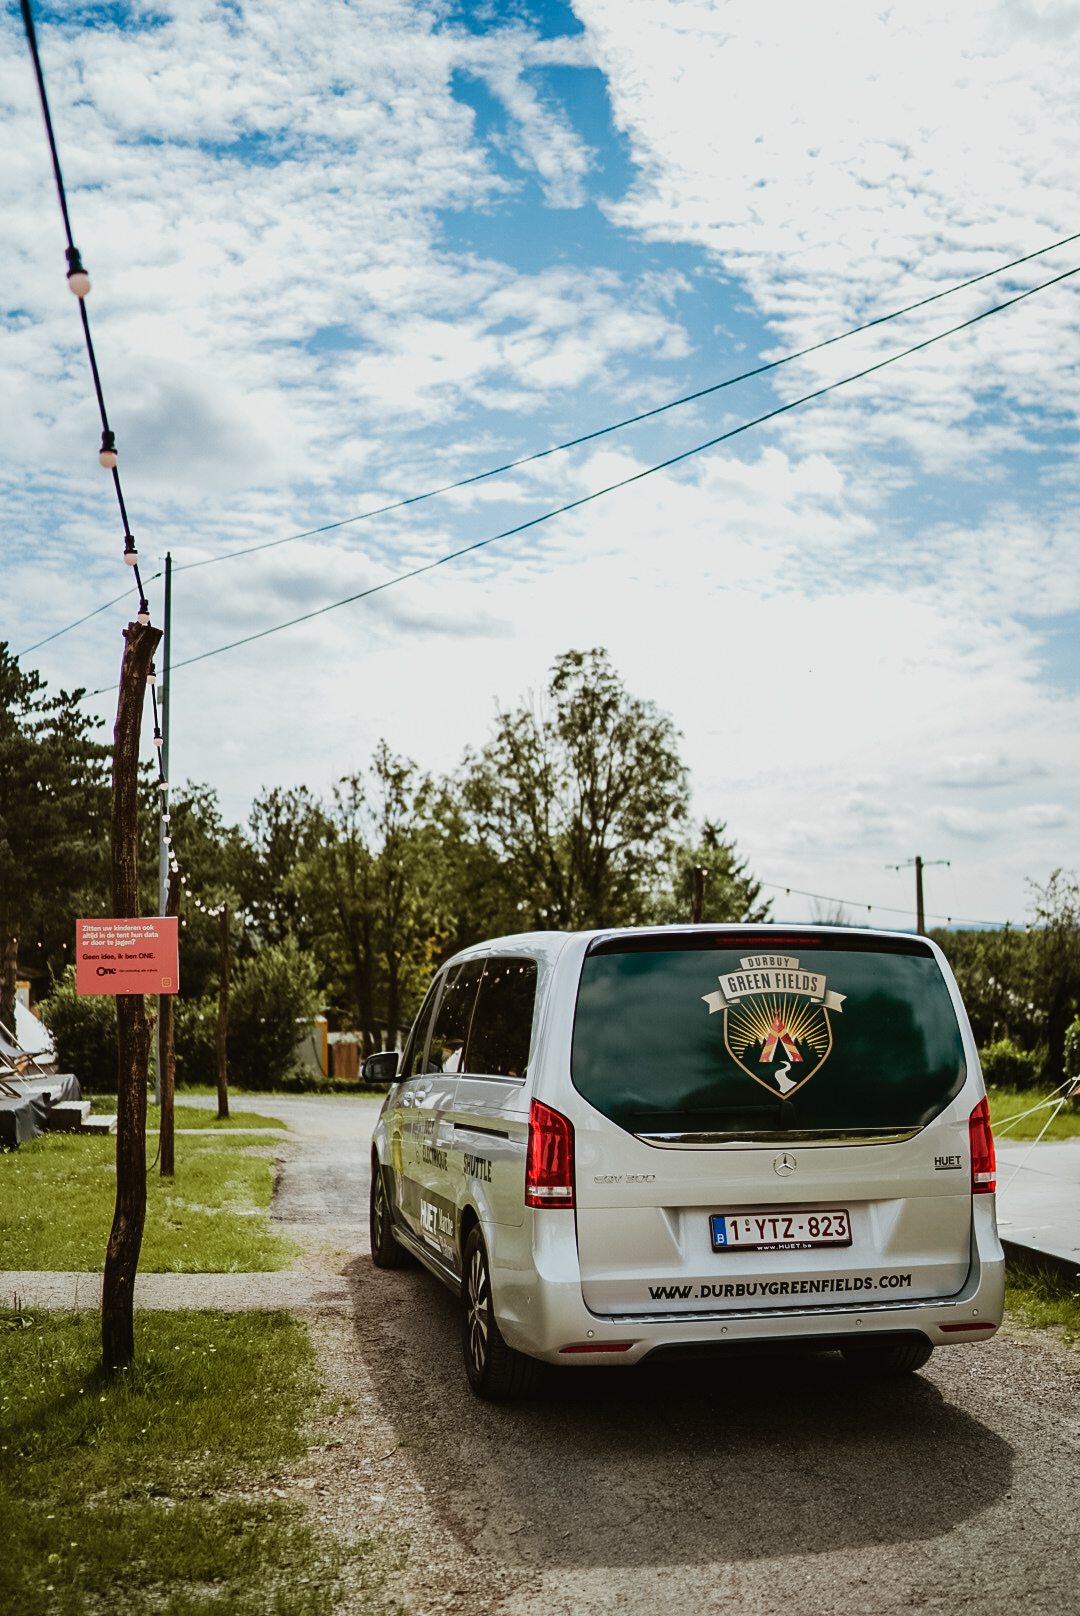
[589,437]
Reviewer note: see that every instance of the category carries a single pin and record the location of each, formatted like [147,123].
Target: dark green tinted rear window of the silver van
[748,1037]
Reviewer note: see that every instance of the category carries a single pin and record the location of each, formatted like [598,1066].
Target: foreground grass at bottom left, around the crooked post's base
[153,1492]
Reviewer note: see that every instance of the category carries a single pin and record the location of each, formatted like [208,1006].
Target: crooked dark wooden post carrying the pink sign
[125,1242]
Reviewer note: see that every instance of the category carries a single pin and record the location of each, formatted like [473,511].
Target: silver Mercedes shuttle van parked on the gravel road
[690,1142]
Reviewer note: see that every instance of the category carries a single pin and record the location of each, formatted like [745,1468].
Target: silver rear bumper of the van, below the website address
[557,1316]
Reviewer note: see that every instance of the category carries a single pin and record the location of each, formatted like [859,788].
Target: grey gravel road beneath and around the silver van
[751,1488]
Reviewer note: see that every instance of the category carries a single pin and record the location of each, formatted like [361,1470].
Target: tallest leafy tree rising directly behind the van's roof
[576,801]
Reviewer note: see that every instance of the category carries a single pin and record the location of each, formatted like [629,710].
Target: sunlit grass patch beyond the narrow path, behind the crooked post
[57,1198]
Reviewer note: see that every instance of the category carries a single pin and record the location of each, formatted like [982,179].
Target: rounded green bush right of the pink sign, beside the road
[272,999]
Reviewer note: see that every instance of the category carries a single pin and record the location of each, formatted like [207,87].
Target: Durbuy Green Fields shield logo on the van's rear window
[777,1021]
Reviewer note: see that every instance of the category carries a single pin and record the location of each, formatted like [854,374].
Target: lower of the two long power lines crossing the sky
[623,482]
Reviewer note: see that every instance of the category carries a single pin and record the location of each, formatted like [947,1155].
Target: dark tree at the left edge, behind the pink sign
[54,822]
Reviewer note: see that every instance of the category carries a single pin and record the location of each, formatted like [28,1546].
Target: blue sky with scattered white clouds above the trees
[347,253]
